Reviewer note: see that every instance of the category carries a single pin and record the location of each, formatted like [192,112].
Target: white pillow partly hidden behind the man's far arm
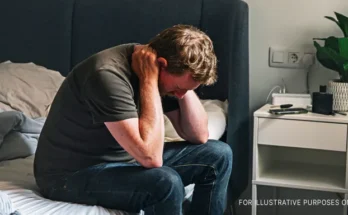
[217,114]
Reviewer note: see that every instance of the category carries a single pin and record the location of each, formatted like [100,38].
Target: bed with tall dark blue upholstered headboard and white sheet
[58,34]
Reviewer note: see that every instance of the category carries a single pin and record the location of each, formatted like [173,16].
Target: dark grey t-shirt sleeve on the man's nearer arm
[109,97]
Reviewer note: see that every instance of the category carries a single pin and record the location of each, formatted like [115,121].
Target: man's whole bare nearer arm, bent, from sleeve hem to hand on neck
[143,138]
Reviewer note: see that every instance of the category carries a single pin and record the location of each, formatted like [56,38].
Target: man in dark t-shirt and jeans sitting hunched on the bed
[103,140]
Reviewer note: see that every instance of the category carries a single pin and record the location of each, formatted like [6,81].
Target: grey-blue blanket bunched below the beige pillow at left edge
[18,134]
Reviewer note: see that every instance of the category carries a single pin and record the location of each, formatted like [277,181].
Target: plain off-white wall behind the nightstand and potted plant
[288,23]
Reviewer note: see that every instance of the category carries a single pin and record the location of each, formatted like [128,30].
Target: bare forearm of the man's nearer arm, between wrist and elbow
[151,126]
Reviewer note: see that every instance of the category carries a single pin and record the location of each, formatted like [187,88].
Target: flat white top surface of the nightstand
[263,112]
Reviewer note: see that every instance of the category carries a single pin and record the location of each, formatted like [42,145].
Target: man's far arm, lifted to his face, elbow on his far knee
[190,120]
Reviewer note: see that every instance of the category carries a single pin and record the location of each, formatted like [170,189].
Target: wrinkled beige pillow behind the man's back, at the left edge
[28,88]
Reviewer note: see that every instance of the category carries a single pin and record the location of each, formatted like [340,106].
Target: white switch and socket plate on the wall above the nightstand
[297,58]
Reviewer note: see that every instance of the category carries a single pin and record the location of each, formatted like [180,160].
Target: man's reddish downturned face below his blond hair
[174,85]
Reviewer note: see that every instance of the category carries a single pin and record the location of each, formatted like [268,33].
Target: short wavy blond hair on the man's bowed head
[186,48]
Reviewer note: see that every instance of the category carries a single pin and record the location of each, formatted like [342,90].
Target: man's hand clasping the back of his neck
[144,63]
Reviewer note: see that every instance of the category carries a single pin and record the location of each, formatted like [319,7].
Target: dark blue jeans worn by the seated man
[158,191]
